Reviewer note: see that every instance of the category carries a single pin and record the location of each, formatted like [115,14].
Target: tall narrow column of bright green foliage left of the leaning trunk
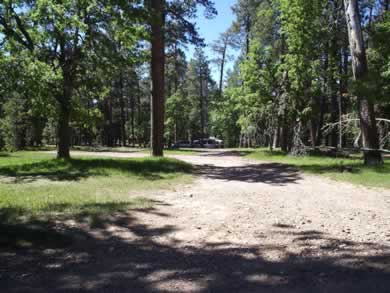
[301,28]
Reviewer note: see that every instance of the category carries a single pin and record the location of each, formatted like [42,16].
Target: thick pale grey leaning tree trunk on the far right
[372,156]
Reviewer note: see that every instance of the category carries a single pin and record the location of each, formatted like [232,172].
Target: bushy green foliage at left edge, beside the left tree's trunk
[27,99]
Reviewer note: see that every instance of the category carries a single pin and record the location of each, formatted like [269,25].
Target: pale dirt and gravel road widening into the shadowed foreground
[241,226]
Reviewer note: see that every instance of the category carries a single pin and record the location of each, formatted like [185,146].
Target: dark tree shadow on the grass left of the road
[76,169]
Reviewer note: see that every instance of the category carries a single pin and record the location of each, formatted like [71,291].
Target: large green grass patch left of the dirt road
[36,186]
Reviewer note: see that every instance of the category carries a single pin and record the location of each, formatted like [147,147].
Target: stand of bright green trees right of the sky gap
[295,75]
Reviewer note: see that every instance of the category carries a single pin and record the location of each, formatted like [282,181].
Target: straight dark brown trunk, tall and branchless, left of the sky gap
[158,77]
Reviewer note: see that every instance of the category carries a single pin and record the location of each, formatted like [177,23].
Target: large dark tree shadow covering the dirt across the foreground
[103,260]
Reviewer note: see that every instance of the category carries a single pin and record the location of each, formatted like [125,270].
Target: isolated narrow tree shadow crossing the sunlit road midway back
[269,173]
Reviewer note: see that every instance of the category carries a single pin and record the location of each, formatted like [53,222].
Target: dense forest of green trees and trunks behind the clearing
[309,74]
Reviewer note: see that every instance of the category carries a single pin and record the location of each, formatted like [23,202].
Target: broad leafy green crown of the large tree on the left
[63,55]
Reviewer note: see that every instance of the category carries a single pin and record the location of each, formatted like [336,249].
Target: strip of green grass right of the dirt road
[344,169]
